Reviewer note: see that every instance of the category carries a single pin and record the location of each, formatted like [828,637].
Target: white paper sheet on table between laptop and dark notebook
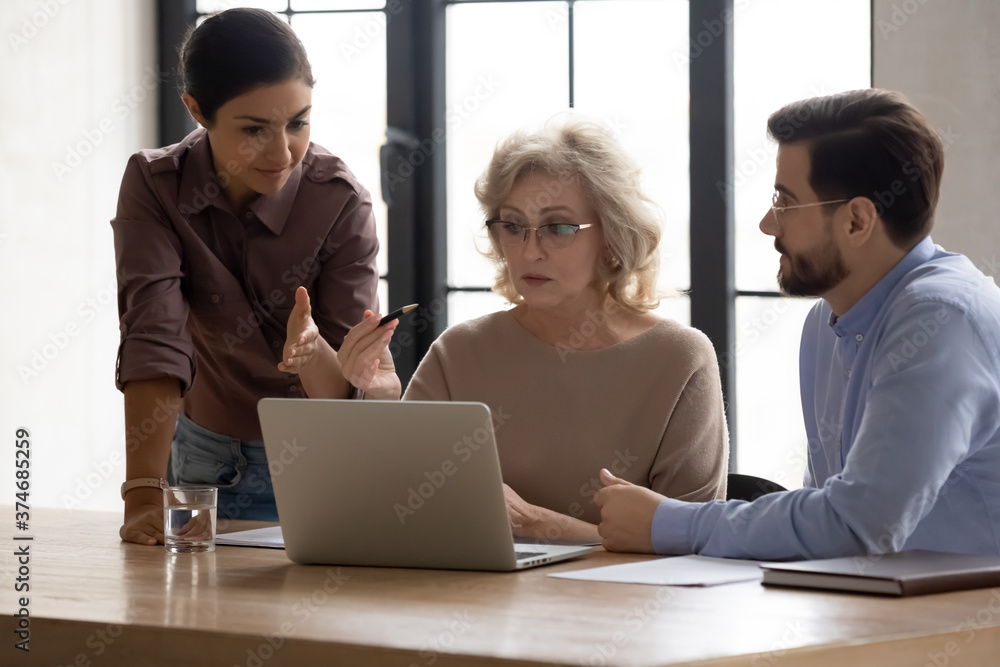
[676,571]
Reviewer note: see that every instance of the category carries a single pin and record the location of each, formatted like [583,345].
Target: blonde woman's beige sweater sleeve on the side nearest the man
[692,462]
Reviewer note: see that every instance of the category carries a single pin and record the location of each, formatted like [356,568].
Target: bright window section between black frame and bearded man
[780,55]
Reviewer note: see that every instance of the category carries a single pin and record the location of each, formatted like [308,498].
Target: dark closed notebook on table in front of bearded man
[903,573]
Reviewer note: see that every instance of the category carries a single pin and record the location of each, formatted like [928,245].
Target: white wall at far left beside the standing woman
[77,77]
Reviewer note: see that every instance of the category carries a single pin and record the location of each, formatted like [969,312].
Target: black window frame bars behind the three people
[417,218]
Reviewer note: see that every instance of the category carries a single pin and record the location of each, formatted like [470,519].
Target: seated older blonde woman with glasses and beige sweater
[579,373]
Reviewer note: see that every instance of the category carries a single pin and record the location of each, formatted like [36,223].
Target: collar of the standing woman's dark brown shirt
[200,188]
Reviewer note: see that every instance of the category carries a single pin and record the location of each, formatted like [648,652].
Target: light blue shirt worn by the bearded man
[901,400]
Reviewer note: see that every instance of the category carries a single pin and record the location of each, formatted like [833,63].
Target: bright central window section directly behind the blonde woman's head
[513,65]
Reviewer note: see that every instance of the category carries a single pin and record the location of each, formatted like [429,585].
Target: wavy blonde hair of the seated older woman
[581,152]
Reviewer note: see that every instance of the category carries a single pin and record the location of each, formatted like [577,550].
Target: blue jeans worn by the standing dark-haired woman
[237,467]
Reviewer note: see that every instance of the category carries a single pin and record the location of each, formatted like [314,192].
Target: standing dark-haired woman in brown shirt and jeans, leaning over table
[217,238]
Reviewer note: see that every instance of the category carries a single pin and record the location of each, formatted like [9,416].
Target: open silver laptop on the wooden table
[392,483]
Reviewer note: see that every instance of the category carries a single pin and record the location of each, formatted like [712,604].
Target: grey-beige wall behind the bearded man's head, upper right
[945,56]
